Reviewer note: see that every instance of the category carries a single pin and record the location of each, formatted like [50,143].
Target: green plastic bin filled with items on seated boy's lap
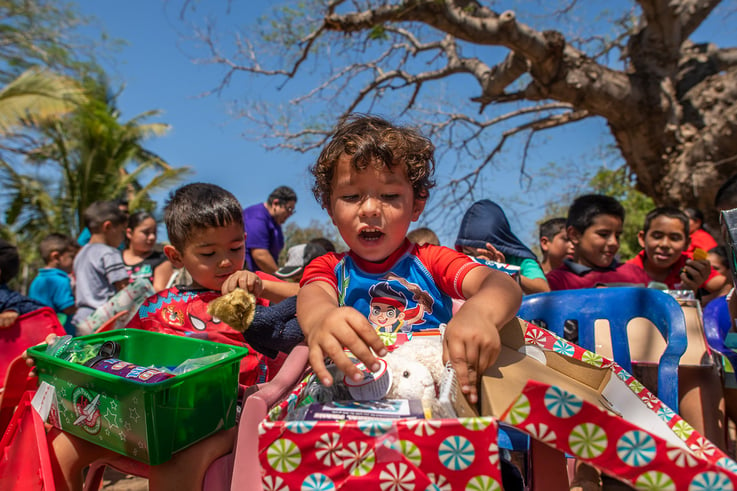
[147,422]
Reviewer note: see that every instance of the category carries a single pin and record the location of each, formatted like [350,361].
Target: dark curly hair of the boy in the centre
[371,140]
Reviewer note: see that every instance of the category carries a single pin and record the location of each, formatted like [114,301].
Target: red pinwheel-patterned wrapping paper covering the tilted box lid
[621,448]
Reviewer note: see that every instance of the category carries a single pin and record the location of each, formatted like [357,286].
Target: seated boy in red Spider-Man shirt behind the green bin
[205,228]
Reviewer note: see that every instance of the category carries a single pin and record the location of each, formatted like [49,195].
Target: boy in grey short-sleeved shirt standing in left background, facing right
[98,268]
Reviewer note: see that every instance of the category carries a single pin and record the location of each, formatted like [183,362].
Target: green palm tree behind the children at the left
[89,155]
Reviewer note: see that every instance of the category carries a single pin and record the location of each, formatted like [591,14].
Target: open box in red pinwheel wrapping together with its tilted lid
[560,394]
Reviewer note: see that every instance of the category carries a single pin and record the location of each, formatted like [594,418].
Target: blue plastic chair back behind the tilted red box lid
[618,305]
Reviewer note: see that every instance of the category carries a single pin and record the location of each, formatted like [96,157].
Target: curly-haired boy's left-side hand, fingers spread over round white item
[344,327]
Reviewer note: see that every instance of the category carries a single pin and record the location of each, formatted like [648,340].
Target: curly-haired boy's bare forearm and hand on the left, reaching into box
[329,328]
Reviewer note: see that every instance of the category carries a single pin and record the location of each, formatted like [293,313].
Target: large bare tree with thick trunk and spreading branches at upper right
[668,104]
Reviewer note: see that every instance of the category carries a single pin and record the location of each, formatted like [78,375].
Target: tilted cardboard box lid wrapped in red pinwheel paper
[587,406]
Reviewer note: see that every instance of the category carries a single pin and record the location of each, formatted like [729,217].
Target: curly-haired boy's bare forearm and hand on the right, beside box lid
[472,337]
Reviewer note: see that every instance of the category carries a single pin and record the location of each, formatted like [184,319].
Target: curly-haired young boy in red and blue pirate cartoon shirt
[373,178]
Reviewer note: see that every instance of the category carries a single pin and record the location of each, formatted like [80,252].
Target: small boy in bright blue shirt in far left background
[53,286]
